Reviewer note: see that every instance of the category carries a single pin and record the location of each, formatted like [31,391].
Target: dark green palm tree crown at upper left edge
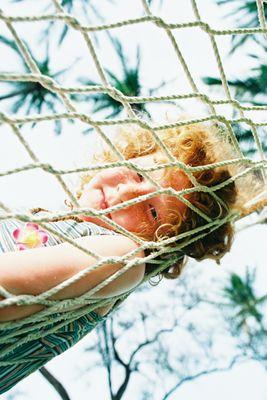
[32,96]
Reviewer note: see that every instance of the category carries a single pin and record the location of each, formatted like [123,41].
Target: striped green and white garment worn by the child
[30,356]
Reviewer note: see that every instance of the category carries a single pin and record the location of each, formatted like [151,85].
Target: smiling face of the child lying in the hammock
[115,185]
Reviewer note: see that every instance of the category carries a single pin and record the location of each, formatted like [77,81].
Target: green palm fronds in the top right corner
[245,14]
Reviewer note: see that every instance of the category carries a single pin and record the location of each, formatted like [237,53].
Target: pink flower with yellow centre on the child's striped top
[30,236]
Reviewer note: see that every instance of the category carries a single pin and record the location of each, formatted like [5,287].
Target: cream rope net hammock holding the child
[86,302]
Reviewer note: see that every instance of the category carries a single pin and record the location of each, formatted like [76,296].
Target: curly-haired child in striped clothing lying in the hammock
[36,270]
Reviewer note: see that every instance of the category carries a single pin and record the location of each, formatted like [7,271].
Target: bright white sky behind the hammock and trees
[70,149]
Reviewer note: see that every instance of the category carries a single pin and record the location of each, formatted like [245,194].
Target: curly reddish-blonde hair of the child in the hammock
[194,145]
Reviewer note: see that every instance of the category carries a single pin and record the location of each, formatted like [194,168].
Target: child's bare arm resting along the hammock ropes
[38,270]
